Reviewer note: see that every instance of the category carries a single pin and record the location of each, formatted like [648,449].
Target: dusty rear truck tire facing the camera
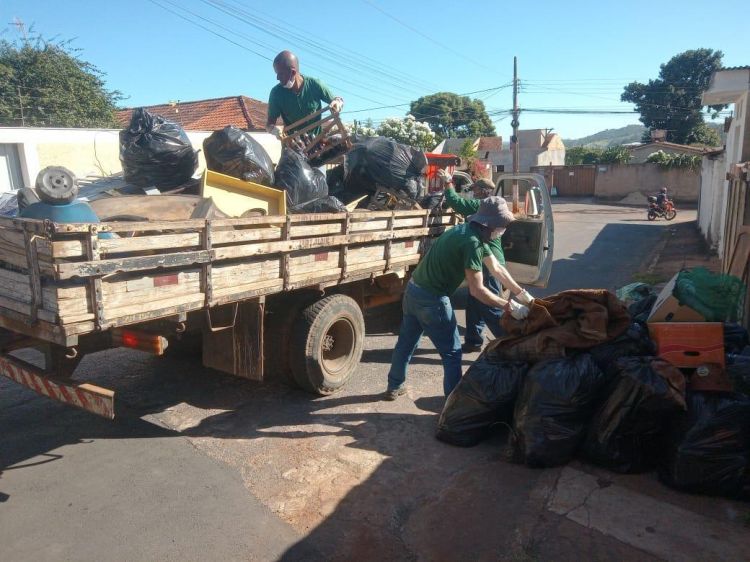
[326,344]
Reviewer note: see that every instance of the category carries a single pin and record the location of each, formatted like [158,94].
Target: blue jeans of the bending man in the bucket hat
[425,312]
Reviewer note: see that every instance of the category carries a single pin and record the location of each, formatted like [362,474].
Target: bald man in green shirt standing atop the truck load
[296,96]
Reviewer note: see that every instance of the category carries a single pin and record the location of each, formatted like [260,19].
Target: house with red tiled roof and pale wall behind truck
[24,151]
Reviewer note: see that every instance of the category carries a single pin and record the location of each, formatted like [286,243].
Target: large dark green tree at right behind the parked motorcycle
[673,101]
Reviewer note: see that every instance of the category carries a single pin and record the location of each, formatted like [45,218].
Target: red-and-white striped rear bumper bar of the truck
[89,397]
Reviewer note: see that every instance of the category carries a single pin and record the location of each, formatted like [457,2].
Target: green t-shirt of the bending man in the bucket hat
[441,271]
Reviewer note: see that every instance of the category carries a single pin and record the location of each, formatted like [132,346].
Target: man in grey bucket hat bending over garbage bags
[457,254]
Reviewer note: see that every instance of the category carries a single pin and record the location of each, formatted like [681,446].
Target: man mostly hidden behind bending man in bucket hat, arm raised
[477,313]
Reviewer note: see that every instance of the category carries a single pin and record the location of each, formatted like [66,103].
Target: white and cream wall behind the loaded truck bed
[90,151]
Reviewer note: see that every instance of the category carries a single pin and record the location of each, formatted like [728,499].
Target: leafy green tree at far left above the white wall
[47,84]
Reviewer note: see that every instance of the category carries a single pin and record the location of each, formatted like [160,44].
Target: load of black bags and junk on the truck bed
[157,157]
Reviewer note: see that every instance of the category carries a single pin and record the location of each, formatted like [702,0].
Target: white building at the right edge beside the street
[721,189]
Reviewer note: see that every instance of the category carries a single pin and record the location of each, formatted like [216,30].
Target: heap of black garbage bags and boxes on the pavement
[634,384]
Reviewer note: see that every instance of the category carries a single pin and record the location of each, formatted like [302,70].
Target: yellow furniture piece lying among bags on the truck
[236,197]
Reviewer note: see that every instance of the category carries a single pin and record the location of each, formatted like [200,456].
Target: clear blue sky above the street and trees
[376,53]
